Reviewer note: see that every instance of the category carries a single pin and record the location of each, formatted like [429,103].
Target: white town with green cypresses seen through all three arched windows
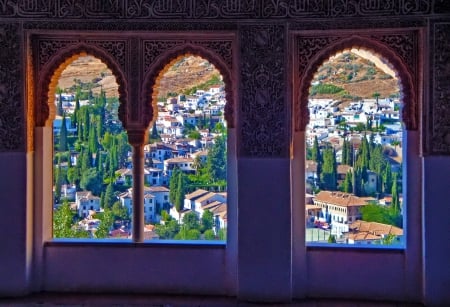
[353,168]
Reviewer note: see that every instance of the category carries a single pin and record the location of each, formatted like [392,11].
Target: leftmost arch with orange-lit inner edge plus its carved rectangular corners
[55,54]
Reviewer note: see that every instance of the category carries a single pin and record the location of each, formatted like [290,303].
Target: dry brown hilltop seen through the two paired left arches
[183,75]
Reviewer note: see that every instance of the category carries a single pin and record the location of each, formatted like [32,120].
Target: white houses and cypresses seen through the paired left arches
[185,194]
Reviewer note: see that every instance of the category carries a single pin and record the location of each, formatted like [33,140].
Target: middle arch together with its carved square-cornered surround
[159,54]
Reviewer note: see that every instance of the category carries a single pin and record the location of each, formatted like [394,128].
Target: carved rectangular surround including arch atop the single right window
[400,50]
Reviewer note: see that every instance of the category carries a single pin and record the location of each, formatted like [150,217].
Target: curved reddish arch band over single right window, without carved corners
[330,48]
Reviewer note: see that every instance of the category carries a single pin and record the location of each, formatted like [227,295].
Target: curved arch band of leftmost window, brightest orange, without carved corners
[50,73]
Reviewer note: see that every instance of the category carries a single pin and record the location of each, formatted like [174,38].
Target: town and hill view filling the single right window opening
[348,162]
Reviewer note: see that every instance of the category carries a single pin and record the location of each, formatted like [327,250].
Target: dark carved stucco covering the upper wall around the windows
[263,27]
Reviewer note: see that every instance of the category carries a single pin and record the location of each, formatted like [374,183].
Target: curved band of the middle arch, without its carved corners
[165,61]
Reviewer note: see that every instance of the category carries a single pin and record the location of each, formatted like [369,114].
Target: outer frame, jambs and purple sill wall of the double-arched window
[71,259]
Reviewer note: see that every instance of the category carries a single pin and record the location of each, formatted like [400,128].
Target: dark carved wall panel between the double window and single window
[263,111]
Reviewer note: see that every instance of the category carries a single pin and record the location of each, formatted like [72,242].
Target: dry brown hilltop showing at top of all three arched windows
[360,74]
